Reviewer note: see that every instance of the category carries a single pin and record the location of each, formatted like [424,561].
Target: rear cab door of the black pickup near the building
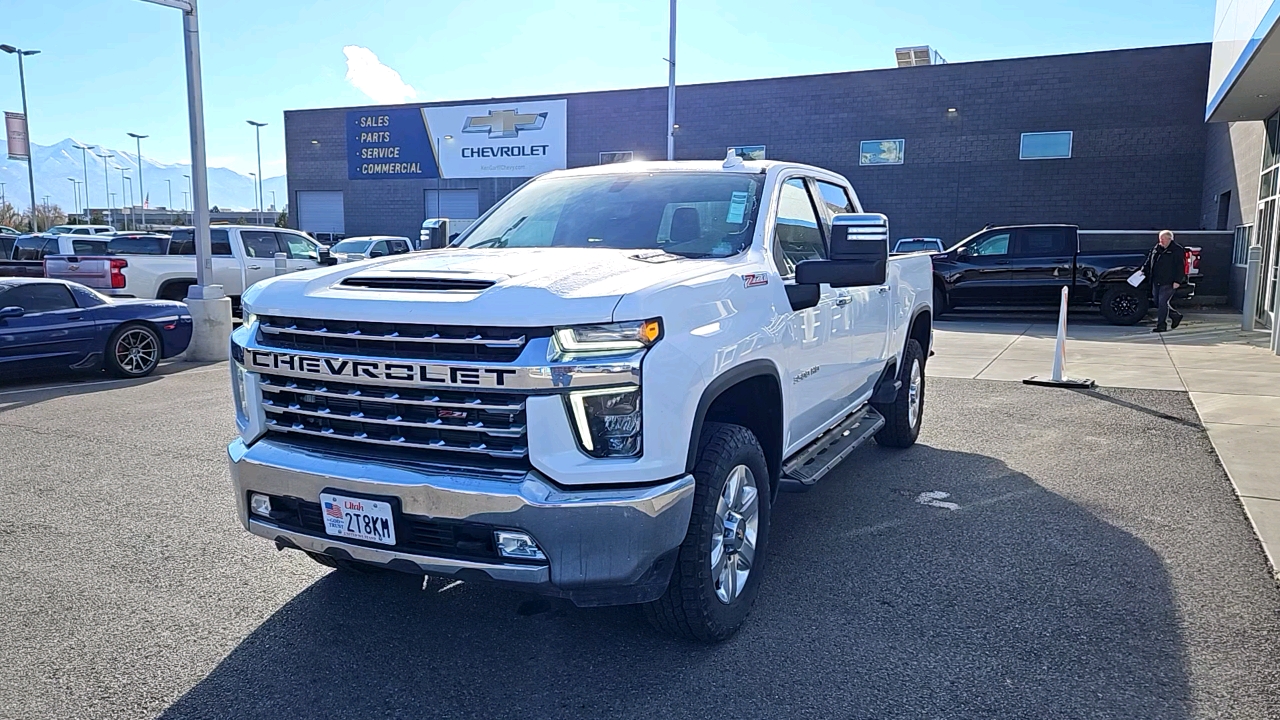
[1041,265]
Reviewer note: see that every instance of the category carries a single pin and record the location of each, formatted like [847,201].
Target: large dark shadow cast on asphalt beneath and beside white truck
[877,604]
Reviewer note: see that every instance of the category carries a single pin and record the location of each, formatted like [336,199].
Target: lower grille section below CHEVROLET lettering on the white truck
[436,425]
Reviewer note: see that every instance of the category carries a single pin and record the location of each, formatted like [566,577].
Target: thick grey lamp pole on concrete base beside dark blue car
[208,303]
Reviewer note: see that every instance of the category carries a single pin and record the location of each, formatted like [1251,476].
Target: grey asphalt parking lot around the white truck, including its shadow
[1096,564]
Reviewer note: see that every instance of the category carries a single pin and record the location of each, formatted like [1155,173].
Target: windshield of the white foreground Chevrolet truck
[691,215]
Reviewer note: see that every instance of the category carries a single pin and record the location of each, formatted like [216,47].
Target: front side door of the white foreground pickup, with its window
[820,348]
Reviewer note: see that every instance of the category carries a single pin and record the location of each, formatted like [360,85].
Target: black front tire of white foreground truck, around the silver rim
[692,607]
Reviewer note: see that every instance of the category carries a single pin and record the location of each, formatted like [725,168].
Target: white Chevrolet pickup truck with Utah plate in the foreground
[596,393]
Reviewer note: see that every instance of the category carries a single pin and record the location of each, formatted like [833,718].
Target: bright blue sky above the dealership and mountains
[109,67]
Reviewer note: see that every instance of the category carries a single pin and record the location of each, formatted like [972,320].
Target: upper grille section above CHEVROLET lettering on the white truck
[396,340]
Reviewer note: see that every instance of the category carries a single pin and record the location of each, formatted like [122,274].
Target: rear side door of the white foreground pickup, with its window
[862,312]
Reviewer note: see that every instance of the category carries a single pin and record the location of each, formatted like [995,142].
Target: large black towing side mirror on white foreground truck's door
[860,254]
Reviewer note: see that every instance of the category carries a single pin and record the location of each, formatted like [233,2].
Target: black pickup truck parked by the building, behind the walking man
[1031,265]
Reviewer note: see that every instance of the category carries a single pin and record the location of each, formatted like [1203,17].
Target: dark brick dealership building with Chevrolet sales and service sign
[1113,140]
